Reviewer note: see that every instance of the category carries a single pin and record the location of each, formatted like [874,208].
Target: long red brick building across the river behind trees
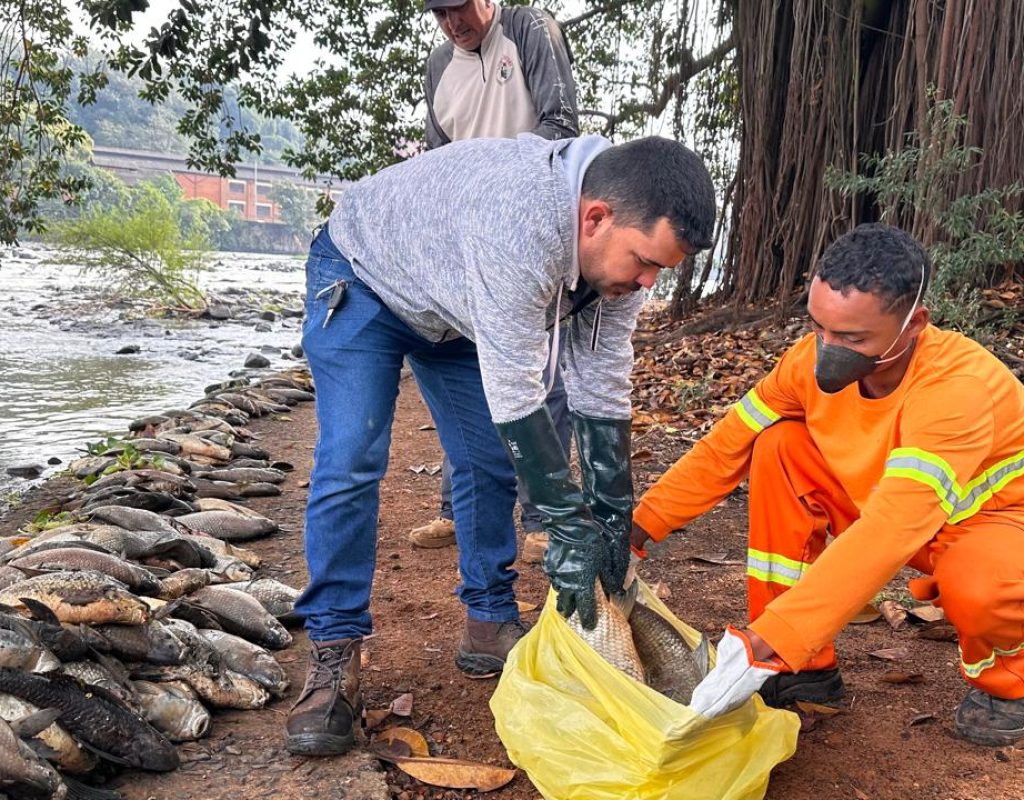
[248,194]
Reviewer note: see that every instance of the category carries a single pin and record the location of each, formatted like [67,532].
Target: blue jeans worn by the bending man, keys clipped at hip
[357,364]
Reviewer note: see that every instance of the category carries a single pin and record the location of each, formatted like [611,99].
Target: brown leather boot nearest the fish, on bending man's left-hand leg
[323,721]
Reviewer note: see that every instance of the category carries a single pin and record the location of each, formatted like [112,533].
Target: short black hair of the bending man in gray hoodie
[651,179]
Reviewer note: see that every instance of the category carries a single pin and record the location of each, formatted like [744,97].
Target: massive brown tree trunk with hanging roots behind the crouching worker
[823,82]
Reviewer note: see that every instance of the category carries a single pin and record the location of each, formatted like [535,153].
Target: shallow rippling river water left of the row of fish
[62,384]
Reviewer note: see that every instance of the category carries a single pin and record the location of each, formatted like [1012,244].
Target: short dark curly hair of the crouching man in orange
[880,260]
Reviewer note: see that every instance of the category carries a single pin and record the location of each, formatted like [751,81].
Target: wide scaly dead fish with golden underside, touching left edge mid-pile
[80,598]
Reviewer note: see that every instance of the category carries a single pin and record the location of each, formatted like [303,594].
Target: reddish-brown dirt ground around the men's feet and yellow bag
[890,741]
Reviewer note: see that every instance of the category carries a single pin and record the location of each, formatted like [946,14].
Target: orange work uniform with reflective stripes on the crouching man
[931,476]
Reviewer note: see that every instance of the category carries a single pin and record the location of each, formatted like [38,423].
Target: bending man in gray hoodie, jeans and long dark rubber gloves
[460,261]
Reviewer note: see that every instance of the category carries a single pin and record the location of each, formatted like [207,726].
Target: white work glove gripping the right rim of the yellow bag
[736,677]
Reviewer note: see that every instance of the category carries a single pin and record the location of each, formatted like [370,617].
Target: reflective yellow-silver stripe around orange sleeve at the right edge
[959,503]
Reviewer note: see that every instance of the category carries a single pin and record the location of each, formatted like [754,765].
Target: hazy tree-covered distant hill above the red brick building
[121,119]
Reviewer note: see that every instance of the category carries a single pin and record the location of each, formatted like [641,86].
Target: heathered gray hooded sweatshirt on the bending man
[479,239]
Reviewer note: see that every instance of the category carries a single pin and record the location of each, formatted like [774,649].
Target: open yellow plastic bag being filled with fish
[585,731]
